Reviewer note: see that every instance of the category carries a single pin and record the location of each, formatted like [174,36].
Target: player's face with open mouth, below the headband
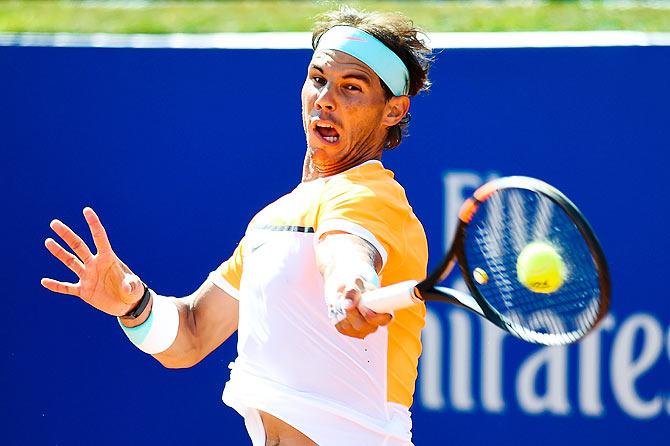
[344,111]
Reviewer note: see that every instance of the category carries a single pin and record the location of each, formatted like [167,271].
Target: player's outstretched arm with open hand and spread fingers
[181,332]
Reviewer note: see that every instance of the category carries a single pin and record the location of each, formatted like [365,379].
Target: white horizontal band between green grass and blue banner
[281,40]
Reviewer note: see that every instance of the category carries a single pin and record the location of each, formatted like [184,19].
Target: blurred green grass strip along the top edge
[260,16]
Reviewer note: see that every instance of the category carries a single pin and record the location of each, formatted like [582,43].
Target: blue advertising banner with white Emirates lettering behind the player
[178,148]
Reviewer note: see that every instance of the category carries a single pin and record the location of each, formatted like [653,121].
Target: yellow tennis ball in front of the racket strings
[540,268]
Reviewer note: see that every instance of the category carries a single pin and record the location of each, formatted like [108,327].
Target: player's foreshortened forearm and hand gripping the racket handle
[346,262]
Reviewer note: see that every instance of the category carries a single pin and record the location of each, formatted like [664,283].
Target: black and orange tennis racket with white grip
[530,260]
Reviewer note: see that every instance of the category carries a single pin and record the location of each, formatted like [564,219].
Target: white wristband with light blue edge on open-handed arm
[158,332]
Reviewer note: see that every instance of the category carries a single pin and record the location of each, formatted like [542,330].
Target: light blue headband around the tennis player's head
[366,48]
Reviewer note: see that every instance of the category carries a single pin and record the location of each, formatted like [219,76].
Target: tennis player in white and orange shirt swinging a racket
[308,371]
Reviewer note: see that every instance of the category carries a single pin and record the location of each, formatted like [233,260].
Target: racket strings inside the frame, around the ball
[502,226]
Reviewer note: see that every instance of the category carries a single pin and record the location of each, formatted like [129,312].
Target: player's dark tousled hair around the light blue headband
[400,35]
